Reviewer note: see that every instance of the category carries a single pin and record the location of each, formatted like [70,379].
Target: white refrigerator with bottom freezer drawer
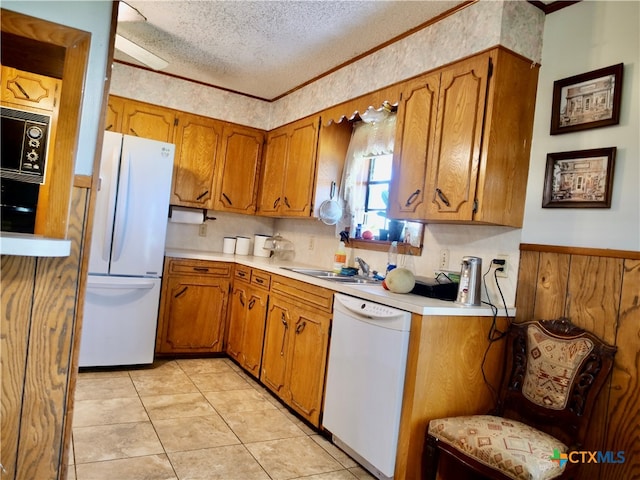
[127,252]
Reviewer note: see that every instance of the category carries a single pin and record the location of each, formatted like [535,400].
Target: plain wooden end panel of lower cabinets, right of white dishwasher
[444,378]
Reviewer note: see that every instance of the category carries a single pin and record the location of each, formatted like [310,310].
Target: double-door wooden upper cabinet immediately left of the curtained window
[289,169]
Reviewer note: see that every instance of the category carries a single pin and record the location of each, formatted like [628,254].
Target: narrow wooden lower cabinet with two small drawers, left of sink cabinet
[247,316]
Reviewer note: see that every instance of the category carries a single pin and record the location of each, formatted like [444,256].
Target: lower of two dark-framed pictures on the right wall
[579,179]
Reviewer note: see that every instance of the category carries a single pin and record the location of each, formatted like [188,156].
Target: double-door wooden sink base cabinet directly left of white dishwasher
[296,344]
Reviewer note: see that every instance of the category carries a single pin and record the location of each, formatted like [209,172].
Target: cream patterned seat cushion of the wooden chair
[517,450]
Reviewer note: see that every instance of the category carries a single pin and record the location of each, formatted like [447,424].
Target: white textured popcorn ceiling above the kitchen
[268,48]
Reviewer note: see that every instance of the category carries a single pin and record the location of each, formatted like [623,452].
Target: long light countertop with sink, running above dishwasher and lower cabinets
[373,292]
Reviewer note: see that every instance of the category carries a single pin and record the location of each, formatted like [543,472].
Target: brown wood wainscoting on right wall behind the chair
[598,290]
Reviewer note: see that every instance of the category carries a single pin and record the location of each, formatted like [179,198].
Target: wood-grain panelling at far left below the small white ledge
[37,391]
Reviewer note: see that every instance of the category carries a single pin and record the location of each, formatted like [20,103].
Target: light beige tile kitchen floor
[195,419]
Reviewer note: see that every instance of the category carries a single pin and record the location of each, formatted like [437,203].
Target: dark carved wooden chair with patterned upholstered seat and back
[554,373]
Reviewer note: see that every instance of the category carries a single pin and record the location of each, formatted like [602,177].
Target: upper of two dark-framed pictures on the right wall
[588,100]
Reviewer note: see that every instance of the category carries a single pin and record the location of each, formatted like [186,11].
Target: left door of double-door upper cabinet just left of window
[273,171]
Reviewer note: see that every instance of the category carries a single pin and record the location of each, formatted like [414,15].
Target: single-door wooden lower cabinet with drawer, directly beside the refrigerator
[193,306]
